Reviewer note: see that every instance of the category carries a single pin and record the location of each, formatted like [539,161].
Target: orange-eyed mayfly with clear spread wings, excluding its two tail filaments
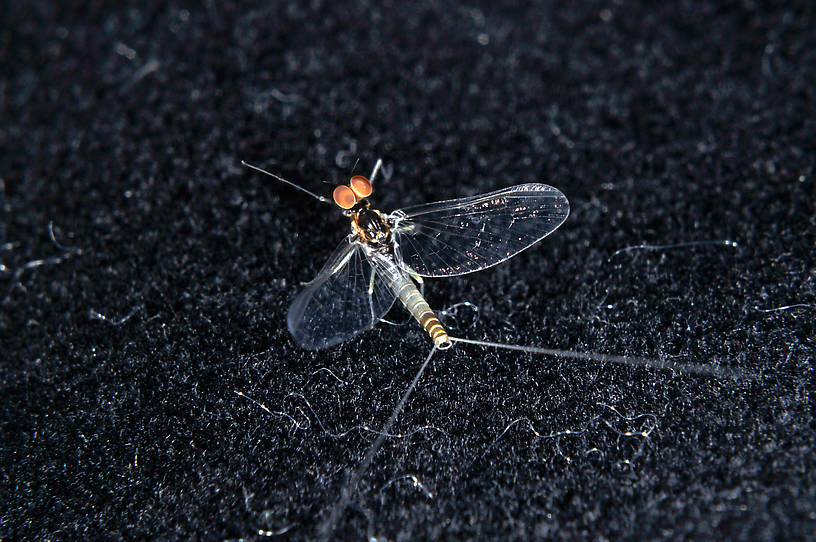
[385,256]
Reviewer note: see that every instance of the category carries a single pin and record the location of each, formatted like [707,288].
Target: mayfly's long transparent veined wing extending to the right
[461,236]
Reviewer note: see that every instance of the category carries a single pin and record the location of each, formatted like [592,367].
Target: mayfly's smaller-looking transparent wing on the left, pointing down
[347,297]
